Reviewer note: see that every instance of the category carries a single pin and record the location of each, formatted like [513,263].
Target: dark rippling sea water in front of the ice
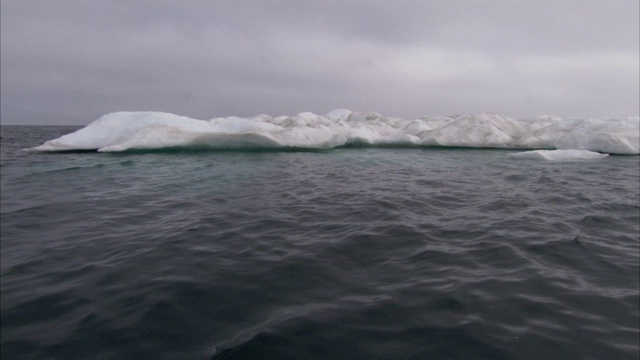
[348,253]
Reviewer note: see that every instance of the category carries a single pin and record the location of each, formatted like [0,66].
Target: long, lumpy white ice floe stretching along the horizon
[155,130]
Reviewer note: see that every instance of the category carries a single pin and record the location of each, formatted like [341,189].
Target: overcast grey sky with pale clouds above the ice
[69,62]
